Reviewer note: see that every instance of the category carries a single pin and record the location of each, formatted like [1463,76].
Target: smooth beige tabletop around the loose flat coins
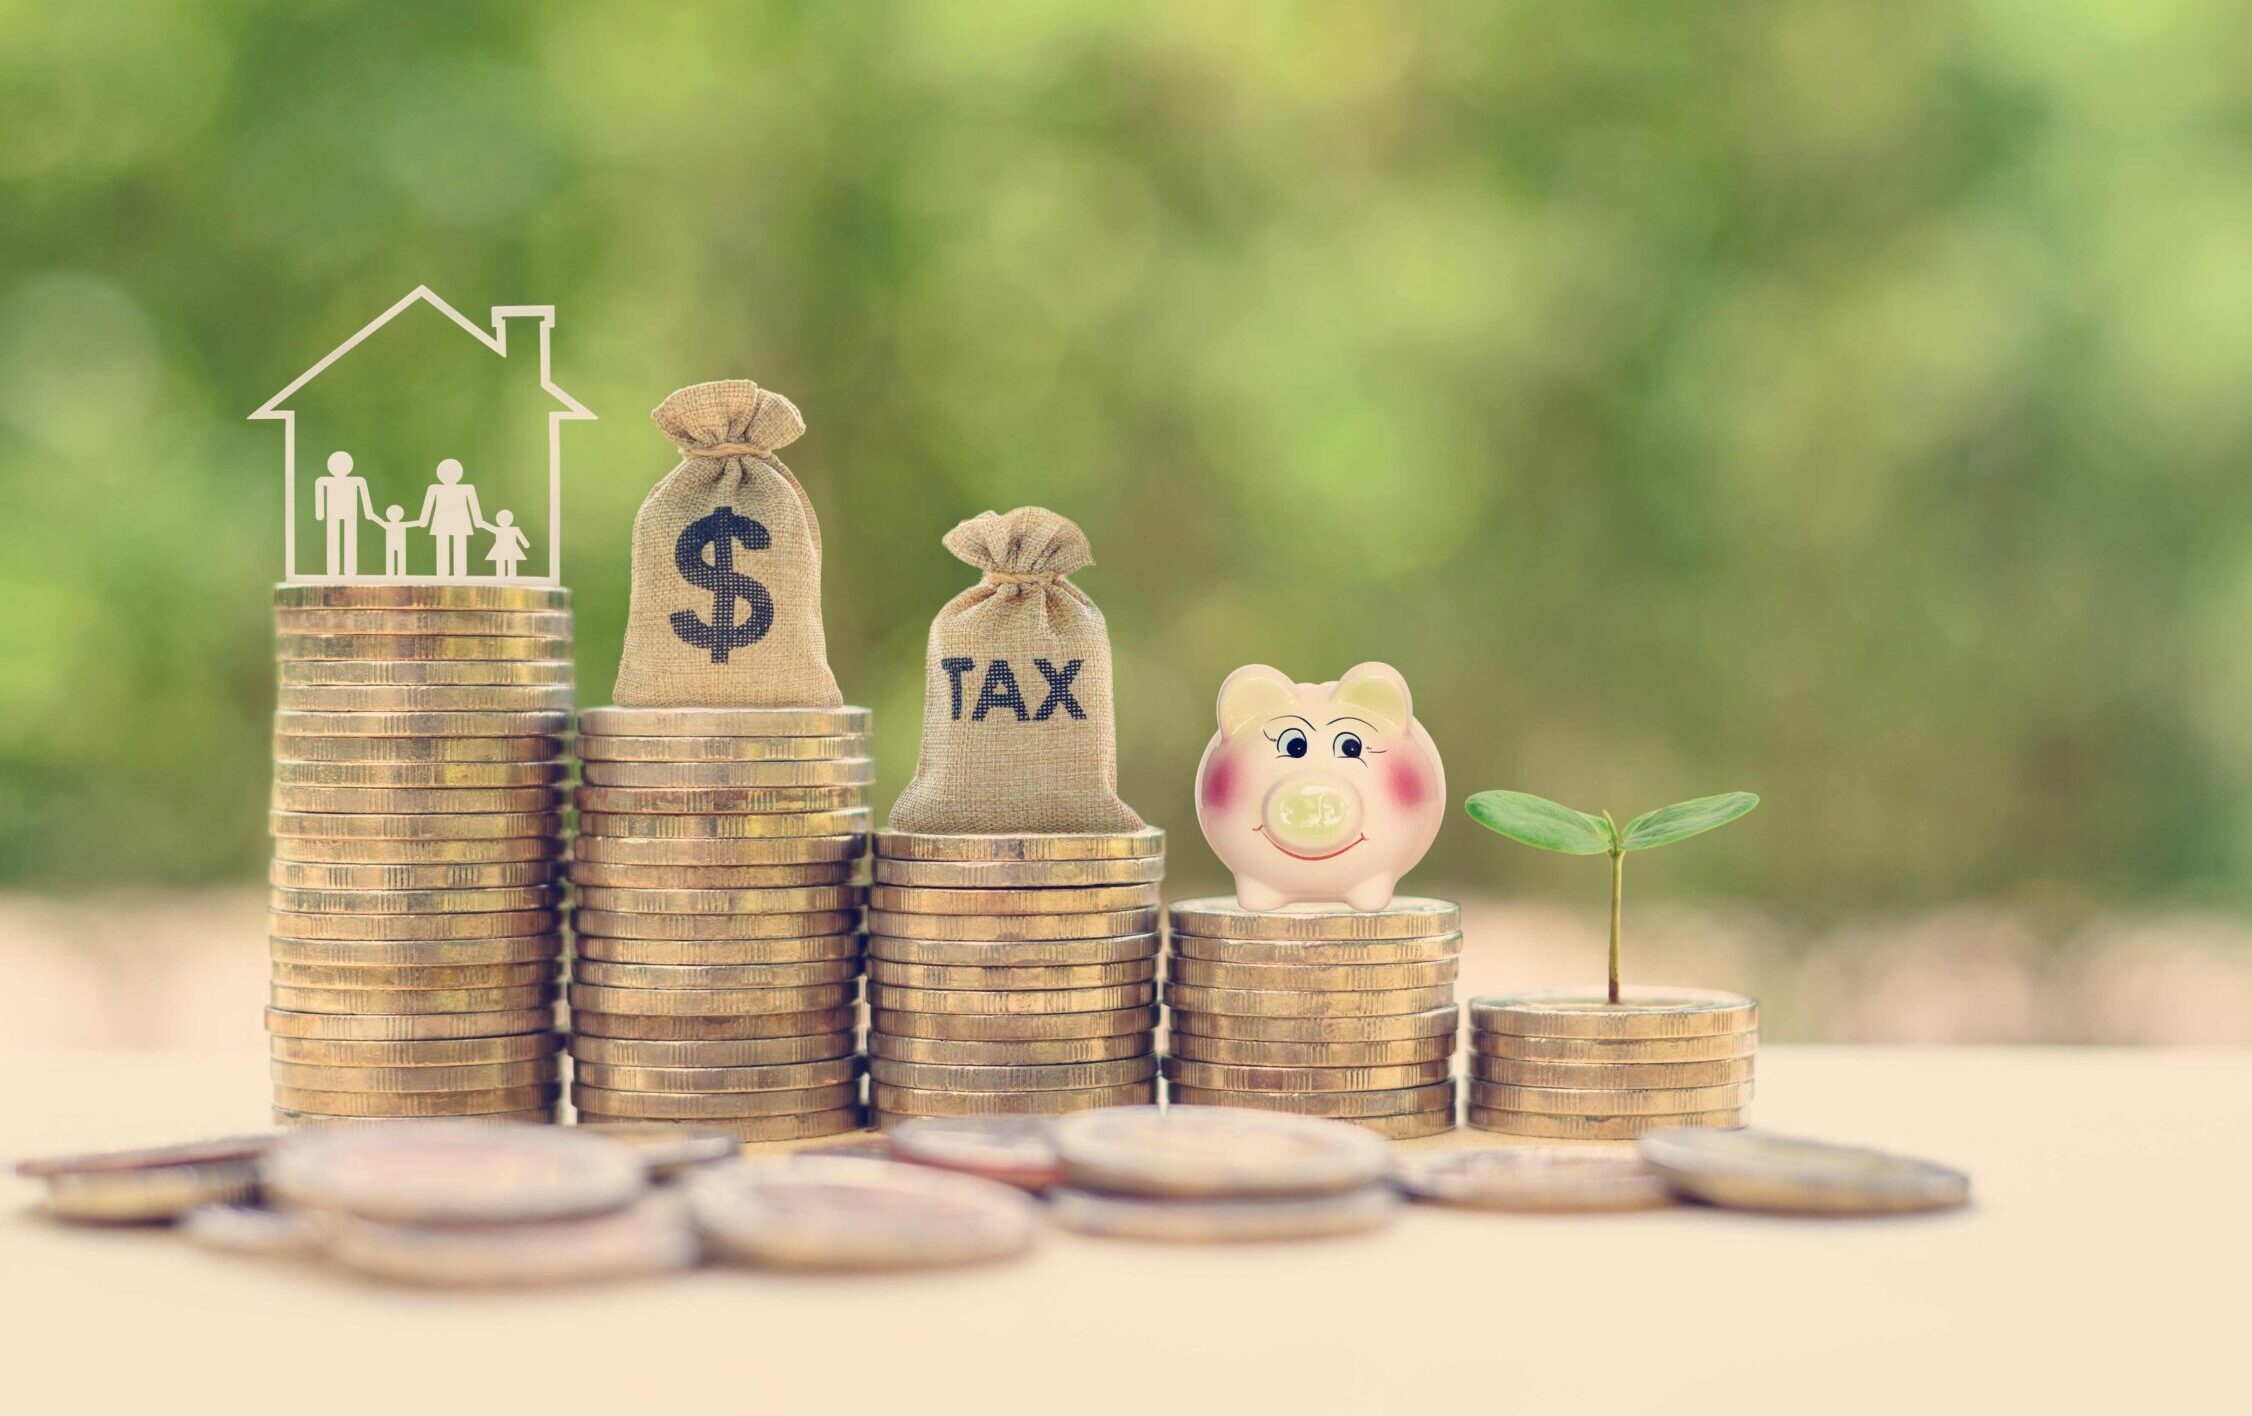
[2102,1266]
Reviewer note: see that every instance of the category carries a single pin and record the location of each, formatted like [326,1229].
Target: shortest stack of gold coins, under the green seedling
[1578,1066]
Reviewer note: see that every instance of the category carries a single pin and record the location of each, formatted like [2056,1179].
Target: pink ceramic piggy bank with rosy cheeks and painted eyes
[1319,794]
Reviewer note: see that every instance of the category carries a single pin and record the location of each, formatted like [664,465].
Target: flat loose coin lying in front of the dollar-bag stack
[857,1215]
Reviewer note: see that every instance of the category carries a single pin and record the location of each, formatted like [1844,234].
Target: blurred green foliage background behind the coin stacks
[1841,402]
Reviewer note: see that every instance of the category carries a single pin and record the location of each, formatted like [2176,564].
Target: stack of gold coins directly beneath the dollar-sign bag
[717,917]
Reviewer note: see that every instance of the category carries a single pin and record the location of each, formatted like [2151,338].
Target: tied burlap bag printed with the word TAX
[1017,692]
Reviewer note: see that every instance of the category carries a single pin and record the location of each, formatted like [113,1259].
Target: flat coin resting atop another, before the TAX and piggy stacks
[1213,1154]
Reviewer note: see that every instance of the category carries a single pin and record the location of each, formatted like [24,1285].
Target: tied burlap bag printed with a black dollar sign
[726,564]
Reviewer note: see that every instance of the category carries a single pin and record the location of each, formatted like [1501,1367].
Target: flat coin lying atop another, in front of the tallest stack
[454,1174]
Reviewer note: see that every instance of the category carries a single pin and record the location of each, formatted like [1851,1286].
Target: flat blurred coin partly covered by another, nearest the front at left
[647,1237]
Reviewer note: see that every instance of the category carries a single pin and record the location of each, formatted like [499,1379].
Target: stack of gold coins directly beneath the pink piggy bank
[1321,1012]
